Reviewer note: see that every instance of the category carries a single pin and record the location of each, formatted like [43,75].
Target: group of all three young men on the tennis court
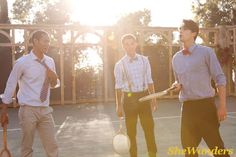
[194,67]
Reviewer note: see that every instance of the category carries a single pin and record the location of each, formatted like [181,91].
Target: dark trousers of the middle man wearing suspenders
[134,109]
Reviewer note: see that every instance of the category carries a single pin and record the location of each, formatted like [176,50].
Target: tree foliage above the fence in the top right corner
[215,12]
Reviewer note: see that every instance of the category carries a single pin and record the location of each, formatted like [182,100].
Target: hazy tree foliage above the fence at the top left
[40,12]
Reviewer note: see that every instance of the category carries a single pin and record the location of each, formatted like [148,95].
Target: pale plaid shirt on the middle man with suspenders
[133,75]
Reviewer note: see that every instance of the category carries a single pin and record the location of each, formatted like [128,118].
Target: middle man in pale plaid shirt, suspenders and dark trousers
[132,81]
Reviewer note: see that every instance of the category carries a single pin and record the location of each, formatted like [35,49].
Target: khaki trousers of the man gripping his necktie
[40,119]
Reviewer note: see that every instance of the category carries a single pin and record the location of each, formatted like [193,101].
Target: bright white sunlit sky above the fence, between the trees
[165,13]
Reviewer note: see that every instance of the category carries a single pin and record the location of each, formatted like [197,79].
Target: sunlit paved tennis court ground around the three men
[86,130]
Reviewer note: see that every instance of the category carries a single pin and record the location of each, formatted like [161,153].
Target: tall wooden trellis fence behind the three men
[85,56]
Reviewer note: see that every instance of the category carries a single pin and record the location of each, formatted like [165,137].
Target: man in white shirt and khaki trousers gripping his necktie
[35,74]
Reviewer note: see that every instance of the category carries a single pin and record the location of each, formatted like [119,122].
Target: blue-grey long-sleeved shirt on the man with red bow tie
[195,72]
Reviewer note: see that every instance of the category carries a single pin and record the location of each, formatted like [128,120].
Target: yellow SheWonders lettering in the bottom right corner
[201,151]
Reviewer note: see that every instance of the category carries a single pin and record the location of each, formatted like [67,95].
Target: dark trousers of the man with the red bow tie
[200,120]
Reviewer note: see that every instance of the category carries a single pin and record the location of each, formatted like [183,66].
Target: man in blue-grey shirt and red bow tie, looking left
[194,67]
